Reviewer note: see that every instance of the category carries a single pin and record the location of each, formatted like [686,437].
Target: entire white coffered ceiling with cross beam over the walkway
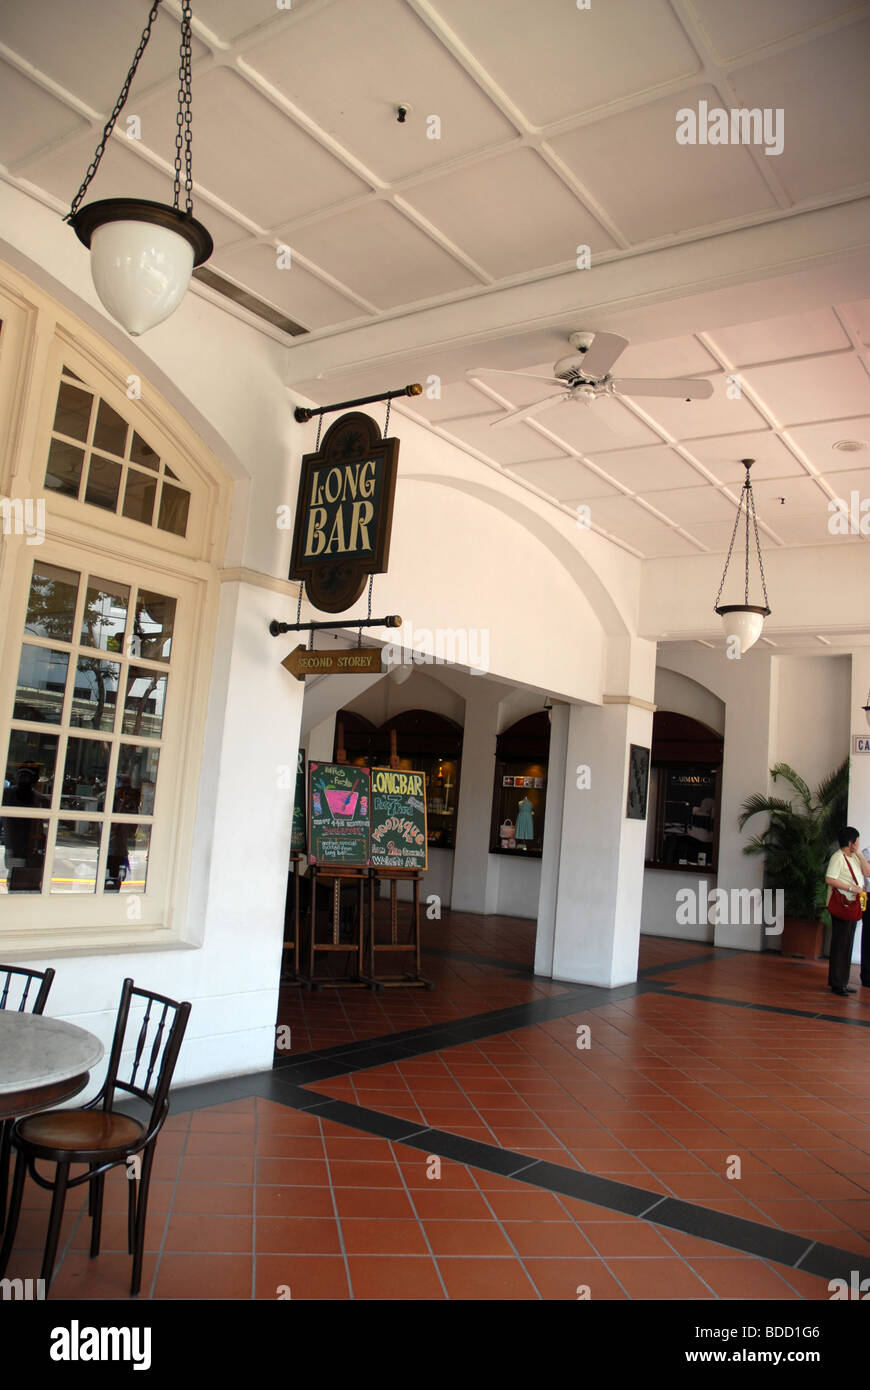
[555,129]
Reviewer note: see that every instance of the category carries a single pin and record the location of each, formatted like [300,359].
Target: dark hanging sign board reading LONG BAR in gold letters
[345,512]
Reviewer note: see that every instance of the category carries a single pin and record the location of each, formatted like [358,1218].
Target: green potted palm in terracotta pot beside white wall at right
[797,844]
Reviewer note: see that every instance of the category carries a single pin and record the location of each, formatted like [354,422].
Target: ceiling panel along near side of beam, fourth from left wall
[650,184]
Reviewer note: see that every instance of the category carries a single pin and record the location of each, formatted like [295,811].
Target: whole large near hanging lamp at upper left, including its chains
[142,254]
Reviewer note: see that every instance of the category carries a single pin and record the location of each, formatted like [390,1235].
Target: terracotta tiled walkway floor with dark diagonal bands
[461,1145]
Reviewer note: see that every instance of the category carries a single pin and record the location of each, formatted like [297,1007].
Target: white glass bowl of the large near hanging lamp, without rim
[141,273]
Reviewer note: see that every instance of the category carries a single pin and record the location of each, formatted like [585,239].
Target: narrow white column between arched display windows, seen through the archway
[476,872]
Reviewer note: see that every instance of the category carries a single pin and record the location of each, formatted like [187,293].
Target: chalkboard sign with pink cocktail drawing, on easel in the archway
[340,800]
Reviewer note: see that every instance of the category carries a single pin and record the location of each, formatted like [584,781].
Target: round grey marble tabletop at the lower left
[42,1063]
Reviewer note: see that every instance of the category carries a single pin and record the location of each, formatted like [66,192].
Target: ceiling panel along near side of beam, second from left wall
[380,255]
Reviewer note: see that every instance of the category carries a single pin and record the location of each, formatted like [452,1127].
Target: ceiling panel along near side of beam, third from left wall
[511,213]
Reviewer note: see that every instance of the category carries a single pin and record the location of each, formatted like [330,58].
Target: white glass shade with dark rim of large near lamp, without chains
[142,256]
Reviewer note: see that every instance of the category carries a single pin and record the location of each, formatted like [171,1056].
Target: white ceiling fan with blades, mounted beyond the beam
[586,376]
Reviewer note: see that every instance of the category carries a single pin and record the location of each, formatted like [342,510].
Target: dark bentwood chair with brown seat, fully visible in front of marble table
[104,1138]
